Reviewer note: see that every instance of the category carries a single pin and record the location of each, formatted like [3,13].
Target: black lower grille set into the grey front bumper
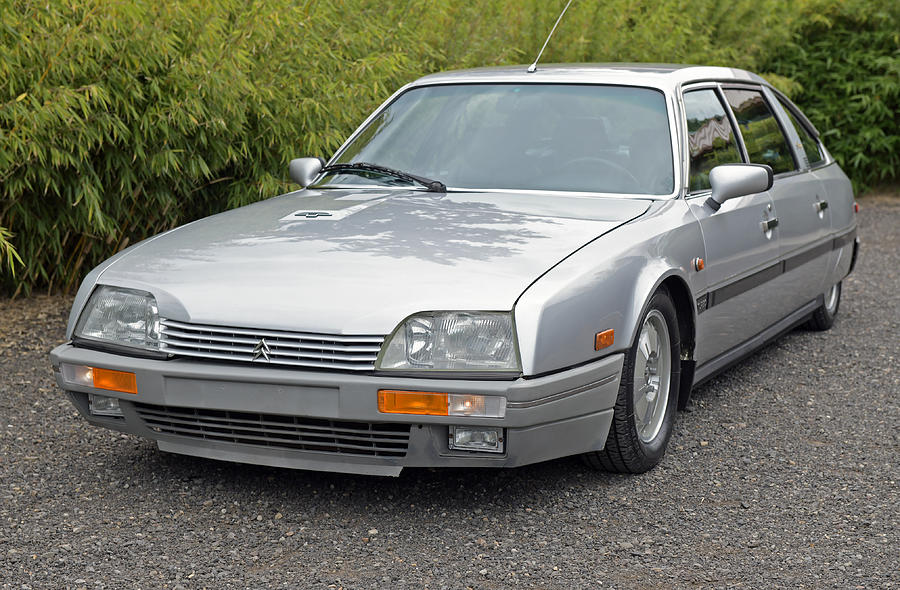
[279,431]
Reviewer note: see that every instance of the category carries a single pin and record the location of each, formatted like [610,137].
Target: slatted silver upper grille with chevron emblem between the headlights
[298,349]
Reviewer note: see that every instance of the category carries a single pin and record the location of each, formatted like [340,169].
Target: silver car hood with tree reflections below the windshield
[357,262]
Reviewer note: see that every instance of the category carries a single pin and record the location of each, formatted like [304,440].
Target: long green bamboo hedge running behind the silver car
[119,120]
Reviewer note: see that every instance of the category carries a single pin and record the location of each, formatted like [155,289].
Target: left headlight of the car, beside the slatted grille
[123,317]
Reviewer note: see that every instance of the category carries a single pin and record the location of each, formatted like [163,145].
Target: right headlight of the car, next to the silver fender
[452,341]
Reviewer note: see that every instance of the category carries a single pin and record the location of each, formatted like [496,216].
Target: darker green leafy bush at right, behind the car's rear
[845,64]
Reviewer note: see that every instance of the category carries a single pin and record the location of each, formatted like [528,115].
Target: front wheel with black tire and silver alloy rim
[637,439]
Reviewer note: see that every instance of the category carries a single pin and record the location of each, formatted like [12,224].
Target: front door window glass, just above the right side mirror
[710,136]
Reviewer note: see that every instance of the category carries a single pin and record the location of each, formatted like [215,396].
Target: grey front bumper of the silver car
[563,414]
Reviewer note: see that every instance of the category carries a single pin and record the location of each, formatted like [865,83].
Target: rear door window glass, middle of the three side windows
[763,137]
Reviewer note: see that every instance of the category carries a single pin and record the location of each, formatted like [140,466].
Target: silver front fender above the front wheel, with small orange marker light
[605,285]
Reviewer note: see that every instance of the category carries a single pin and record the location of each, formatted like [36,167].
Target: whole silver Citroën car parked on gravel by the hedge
[498,267]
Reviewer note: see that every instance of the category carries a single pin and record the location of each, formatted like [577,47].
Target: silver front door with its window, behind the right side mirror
[740,255]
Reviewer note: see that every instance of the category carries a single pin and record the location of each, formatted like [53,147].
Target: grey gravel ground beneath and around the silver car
[784,473]
